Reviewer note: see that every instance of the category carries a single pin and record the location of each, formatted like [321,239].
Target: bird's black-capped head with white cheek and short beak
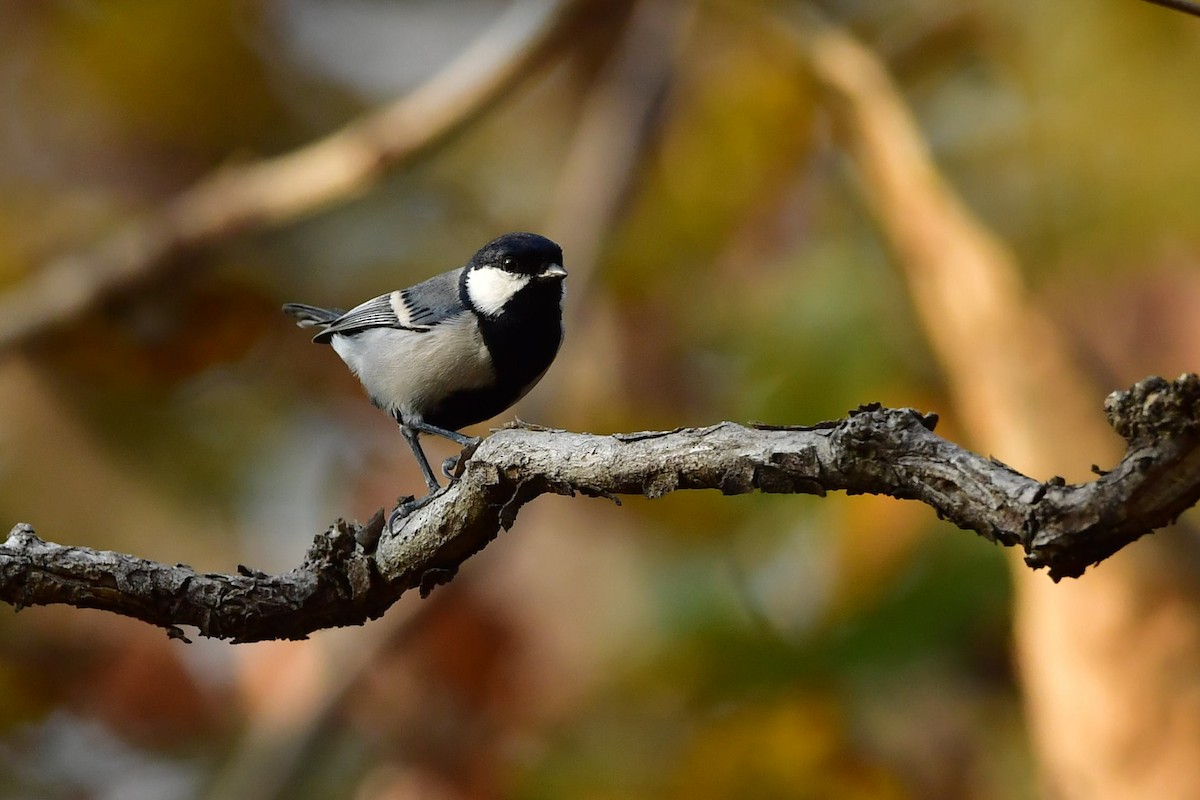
[508,267]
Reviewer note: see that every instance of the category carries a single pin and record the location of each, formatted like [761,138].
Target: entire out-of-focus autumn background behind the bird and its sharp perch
[772,210]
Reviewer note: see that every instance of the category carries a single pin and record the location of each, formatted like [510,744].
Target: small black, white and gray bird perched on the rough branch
[458,348]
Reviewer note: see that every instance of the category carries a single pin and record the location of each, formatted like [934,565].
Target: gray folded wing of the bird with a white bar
[417,309]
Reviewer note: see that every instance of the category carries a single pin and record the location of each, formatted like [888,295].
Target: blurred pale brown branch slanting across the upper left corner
[284,189]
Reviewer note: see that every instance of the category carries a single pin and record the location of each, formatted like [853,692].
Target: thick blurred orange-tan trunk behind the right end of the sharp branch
[1021,388]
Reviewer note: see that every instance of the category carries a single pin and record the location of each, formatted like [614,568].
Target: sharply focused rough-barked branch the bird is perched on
[356,573]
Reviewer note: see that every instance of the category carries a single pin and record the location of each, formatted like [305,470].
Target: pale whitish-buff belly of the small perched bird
[411,372]
